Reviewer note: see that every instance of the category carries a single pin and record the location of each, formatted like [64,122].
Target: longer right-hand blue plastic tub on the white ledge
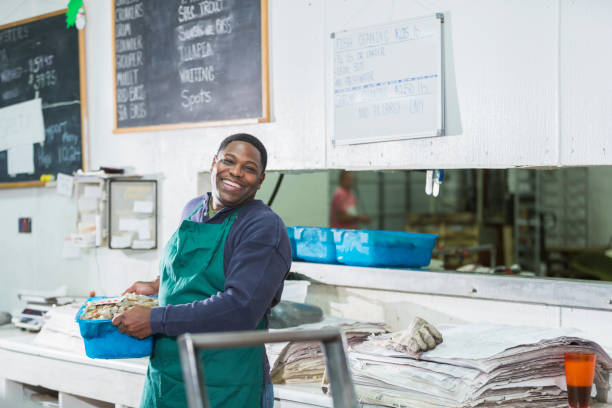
[383,248]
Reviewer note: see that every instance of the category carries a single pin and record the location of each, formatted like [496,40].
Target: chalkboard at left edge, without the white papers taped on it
[40,57]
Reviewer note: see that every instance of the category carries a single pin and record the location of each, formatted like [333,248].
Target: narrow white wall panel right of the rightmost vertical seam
[586,85]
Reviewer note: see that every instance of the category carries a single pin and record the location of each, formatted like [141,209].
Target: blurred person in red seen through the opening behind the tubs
[343,210]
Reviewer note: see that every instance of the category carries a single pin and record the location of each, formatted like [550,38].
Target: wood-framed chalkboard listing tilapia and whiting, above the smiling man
[185,63]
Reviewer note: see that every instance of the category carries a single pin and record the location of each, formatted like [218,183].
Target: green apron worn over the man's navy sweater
[191,269]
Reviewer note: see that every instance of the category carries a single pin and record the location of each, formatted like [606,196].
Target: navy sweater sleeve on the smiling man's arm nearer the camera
[254,274]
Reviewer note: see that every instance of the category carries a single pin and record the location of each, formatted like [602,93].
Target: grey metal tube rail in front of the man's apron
[343,392]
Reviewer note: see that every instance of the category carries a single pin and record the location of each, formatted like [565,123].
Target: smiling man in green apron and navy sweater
[222,270]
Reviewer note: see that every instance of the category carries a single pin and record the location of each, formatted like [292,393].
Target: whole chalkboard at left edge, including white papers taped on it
[41,68]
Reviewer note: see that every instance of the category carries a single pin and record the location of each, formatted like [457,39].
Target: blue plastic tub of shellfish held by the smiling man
[103,339]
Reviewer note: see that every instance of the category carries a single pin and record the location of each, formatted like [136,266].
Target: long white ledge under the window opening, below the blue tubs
[546,291]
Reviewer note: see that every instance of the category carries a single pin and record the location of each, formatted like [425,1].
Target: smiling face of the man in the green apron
[236,174]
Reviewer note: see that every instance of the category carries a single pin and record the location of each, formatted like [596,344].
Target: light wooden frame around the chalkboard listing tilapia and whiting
[265,91]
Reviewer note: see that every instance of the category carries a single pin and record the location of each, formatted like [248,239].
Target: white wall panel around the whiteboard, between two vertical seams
[501,69]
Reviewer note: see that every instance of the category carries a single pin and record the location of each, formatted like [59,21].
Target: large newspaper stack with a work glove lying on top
[477,365]
